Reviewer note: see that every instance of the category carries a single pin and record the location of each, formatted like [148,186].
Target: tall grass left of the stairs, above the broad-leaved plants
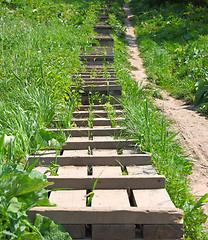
[40,45]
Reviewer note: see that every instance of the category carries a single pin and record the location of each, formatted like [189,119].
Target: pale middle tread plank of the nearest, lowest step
[112,199]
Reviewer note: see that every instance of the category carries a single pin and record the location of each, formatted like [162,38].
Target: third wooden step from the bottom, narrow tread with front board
[100,157]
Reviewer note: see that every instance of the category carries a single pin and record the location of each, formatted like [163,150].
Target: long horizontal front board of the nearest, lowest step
[91,215]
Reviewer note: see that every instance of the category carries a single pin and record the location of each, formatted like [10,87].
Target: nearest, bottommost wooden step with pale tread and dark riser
[113,209]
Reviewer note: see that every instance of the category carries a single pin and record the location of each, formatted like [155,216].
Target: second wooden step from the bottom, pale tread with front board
[109,177]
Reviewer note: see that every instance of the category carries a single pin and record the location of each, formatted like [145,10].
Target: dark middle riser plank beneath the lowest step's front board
[113,232]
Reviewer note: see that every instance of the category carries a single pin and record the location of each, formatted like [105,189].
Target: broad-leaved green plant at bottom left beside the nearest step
[19,191]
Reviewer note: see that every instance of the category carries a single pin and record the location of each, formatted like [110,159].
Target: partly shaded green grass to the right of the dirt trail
[173,39]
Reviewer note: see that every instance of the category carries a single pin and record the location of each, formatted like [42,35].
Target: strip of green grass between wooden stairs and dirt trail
[153,134]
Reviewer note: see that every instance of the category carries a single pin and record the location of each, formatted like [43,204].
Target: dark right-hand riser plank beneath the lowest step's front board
[174,231]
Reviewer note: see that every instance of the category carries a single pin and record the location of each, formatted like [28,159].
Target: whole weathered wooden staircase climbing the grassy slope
[129,200]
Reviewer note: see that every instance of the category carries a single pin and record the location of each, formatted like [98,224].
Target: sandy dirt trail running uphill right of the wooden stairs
[193,128]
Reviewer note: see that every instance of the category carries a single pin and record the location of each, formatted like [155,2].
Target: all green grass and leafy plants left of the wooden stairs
[40,43]
